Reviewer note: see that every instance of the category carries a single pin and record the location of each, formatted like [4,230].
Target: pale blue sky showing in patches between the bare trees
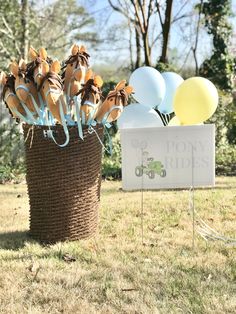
[106,17]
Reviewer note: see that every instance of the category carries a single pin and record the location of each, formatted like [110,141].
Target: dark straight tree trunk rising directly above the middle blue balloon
[166,31]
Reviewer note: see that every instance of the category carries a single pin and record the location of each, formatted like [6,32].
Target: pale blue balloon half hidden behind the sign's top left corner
[138,116]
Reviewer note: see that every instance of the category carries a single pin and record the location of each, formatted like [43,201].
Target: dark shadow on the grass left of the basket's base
[14,240]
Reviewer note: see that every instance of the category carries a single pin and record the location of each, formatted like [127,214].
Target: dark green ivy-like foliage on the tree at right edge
[219,68]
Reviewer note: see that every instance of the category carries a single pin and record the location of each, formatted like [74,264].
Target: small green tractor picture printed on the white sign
[150,167]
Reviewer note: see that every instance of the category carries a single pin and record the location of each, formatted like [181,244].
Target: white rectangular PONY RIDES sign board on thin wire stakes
[168,157]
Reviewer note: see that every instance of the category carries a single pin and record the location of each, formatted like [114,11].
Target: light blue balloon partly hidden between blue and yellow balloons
[172,81]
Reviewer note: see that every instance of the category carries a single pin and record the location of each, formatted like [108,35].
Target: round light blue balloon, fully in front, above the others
[149,86]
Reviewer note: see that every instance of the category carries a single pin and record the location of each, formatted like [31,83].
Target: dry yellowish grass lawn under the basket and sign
[114,272]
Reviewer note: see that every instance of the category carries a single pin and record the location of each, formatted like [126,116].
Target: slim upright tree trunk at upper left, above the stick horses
[25,28]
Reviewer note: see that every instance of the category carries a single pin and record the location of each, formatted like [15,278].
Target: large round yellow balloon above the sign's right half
[195,100]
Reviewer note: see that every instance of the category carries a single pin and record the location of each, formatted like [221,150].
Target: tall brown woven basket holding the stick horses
[63,183]
